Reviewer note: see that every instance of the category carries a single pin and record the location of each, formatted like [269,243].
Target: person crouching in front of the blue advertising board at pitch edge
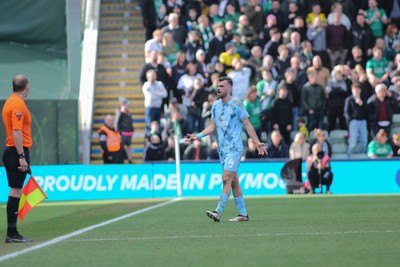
[319,170]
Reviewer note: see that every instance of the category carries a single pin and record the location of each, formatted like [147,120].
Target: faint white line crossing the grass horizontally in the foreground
[235,236]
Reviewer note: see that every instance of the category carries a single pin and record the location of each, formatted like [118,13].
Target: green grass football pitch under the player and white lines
[308,231]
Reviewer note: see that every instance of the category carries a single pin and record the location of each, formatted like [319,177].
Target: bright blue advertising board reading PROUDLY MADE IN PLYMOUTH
[95,182]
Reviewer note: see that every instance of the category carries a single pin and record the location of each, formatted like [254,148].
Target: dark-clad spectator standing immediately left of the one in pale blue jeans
[336,91]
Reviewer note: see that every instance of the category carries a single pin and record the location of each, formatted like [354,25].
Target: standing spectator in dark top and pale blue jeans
[355,112]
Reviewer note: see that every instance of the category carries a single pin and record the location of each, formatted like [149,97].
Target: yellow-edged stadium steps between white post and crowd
[119,58]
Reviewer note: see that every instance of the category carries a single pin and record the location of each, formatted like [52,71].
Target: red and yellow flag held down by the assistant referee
[32,195]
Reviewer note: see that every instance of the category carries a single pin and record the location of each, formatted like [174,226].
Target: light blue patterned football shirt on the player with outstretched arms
[229,126]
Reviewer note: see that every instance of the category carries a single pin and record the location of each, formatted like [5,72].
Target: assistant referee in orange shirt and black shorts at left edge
[17,122]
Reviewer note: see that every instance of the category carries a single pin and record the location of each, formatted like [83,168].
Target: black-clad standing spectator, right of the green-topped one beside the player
[281,113]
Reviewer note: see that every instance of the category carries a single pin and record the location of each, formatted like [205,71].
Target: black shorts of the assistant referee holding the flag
[15,177]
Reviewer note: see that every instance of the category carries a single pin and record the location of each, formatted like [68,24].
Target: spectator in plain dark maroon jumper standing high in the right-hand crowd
[337,37]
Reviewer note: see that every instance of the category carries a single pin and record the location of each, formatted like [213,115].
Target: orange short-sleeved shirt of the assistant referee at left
[16,116]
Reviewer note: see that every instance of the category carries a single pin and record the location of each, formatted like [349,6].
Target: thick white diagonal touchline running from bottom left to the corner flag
[84,230]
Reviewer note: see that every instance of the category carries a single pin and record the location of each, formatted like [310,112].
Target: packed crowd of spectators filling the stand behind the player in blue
[303,69]
